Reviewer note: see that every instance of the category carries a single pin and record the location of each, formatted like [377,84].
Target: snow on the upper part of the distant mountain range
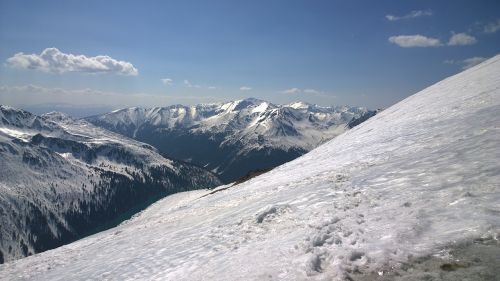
[248,124]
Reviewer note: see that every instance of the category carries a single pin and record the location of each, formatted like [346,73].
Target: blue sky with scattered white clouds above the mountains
[93,56]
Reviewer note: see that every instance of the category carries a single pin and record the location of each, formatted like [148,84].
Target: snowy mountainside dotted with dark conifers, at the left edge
[61,179]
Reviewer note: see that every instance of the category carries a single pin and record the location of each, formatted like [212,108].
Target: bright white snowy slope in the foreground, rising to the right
[418,179]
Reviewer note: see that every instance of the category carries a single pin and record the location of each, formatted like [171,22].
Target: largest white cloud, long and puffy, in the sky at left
[54,61]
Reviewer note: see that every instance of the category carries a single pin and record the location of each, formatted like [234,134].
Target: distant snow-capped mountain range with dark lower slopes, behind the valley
[232,138]
